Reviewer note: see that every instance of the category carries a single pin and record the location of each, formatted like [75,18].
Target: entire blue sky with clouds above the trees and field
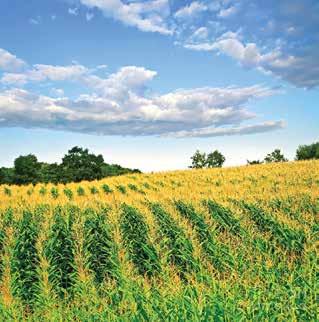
[146,83]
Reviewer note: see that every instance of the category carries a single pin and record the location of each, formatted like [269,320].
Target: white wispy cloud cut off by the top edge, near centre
[146,16]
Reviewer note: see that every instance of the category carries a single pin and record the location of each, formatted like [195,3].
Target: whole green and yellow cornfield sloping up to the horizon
[216,244]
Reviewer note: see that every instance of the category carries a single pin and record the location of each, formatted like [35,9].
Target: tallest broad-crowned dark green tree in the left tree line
[78,164]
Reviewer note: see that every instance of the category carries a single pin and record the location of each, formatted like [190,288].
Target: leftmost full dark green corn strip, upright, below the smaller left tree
[25,260]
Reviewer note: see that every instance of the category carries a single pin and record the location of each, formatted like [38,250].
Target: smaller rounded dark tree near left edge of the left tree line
[26,169]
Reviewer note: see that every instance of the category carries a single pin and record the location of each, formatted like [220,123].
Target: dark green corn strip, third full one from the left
[99,247]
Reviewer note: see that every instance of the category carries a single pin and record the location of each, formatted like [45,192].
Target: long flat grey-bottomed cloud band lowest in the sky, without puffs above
[181,113]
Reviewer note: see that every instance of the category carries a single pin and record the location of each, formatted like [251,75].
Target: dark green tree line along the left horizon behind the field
[77,165]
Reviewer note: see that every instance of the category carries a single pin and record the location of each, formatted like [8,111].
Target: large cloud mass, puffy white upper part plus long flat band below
[120,104]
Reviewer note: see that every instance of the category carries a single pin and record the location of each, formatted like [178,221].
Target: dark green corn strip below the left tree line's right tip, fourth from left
[135,238]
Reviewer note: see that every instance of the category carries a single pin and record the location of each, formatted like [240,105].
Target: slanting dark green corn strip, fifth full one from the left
[179,246]
